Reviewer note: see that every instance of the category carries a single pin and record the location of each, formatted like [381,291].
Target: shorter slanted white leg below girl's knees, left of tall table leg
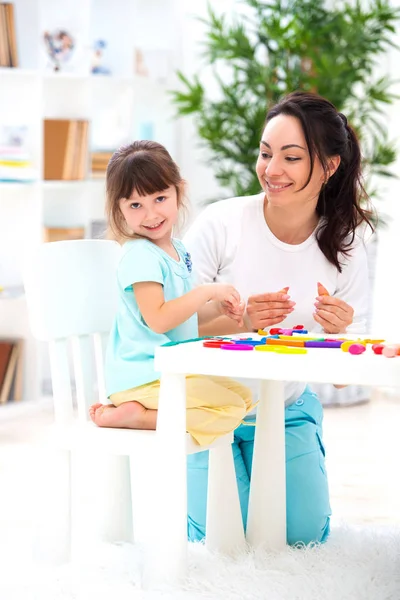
[224,525]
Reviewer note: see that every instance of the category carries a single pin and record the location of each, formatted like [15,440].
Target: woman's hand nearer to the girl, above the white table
[264,310]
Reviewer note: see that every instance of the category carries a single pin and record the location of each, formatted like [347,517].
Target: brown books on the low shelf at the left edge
[11,369]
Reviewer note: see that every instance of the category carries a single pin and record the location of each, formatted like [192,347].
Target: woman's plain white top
[230,242]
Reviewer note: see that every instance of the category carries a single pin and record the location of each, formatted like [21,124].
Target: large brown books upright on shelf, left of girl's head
[65,149]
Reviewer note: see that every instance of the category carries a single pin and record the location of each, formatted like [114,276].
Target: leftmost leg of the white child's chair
[52,509]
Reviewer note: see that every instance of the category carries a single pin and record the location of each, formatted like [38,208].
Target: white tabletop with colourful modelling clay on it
[324,365]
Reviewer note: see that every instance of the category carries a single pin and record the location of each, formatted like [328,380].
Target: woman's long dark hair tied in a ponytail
[328,134]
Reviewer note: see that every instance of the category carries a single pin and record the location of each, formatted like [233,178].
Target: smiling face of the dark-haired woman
[283,165]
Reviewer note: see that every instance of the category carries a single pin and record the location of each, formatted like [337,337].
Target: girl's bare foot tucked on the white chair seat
[129,415]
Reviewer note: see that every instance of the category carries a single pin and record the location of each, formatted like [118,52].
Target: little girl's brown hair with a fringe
[143,166]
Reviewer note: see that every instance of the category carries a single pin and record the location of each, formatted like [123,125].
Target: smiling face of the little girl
[152,216]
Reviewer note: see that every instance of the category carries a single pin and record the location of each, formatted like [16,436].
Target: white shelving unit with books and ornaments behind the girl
[120,107]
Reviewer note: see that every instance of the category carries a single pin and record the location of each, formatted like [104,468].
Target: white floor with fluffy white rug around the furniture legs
[361,561]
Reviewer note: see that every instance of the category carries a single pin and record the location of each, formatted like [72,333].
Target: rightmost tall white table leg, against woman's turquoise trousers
[266,521]
